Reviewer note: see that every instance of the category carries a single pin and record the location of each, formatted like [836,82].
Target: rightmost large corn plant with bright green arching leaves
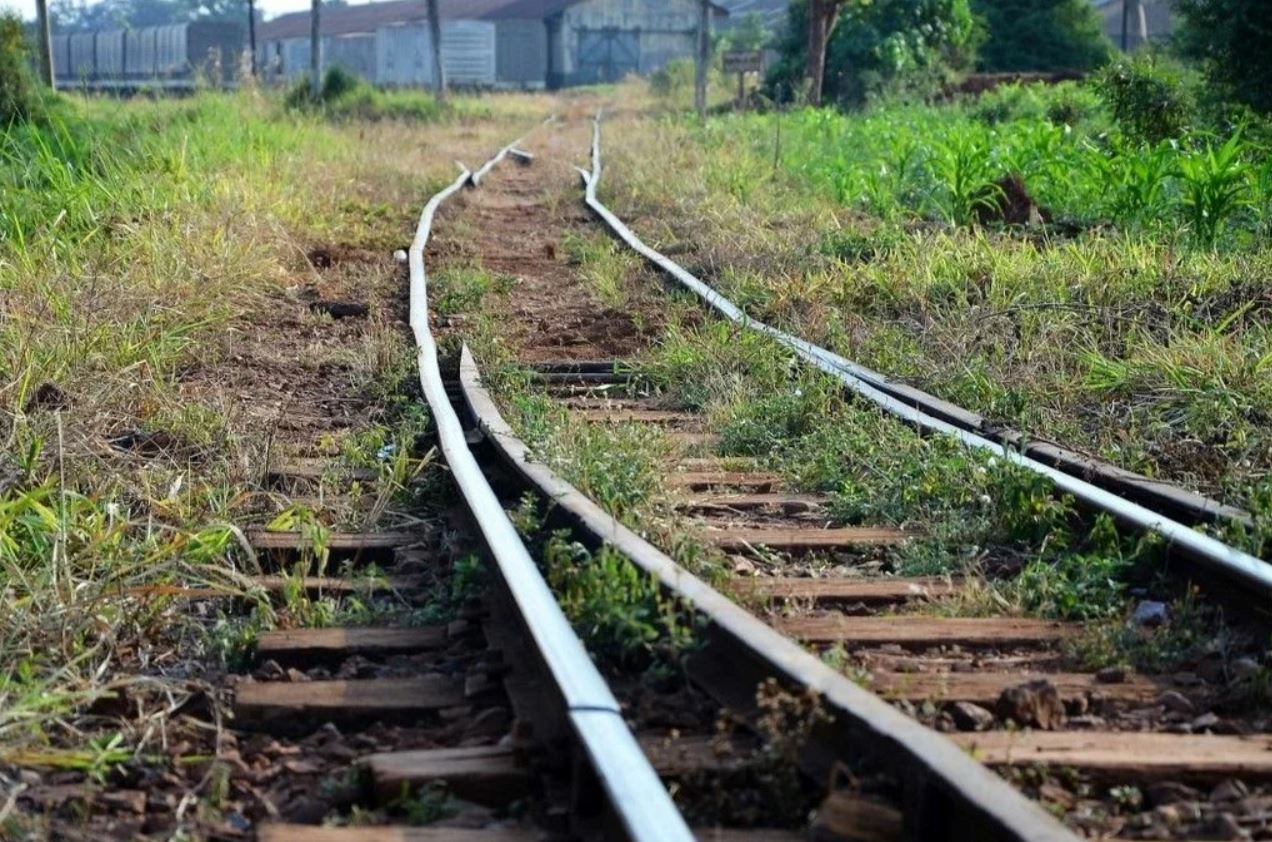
[1214,188]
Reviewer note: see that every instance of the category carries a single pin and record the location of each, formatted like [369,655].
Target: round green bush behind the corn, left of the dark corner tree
[1151,101]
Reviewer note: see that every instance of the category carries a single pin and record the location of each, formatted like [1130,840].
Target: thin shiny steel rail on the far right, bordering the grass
[1200,548]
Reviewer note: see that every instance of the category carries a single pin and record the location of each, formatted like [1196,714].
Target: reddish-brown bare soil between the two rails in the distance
[515,226]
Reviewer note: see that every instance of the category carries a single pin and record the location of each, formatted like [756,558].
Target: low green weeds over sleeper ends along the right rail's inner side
[1030,550]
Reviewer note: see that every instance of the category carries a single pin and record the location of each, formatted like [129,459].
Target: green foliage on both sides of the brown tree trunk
[882,48]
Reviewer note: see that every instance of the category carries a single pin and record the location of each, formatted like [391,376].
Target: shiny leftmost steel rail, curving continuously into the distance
[635,792]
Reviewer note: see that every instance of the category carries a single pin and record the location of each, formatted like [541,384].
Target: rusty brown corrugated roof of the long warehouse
[370,17]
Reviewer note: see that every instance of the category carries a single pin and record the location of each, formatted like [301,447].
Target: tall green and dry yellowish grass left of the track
[147,250]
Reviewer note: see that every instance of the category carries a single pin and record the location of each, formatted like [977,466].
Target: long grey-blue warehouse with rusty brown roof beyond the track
[490,44]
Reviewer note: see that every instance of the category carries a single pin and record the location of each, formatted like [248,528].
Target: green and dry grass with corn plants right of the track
[1129,328]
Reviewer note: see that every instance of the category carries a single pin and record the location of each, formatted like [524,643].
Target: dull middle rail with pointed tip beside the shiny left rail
[1003,813]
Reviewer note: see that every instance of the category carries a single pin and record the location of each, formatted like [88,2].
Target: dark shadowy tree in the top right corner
[1233,40]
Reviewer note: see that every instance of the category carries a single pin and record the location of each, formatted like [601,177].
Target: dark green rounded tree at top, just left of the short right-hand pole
[1042,35]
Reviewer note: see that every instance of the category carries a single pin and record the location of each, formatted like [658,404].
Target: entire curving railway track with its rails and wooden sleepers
[932,727]
